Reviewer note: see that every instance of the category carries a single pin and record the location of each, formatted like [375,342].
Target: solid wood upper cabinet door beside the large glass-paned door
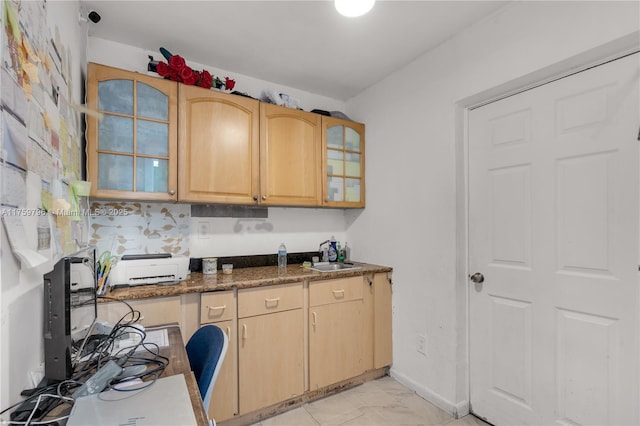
[219,147]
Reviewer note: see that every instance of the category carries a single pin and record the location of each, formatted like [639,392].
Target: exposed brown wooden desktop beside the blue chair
[179,364]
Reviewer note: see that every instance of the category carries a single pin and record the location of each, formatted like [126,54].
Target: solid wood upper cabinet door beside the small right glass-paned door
[290,156]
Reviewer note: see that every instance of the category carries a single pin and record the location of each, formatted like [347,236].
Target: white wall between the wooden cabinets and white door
[414,220]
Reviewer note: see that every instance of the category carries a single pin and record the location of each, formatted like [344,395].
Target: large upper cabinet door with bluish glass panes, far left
[131,152]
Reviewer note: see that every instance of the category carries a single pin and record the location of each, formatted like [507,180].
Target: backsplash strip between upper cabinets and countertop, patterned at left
[130,227]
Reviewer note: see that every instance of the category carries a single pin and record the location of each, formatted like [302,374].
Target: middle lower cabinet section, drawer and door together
[270,345]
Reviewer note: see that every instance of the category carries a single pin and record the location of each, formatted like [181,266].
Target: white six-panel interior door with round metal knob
[553,228]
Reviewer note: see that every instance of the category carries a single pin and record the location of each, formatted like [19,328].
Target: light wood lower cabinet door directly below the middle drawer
[271,359]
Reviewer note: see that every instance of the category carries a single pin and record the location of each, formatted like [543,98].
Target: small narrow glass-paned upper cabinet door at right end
[344,163]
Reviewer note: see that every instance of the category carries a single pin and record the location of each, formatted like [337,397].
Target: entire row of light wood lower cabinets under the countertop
[348,331]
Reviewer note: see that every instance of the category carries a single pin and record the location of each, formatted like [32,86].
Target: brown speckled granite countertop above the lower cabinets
[240,278]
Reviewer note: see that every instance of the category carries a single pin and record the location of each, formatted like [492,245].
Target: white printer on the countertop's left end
[132,270]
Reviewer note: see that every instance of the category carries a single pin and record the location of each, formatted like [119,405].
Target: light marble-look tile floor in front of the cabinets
[382,402]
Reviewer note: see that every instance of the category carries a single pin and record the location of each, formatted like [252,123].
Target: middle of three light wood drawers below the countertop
[268,299]
